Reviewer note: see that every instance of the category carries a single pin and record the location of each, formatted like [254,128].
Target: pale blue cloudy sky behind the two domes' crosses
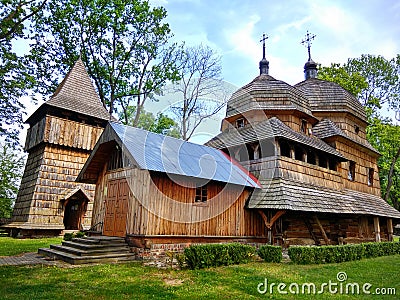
[343,29]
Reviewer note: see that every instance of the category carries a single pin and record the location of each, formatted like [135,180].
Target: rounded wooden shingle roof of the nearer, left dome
[265,92]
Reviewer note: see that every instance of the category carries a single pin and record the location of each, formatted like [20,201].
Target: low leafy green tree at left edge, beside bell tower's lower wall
[11,168]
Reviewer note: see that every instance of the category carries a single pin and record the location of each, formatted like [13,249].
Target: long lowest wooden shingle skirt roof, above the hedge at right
[286,194]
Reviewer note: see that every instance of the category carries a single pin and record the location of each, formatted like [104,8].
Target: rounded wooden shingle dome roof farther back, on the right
[329,96]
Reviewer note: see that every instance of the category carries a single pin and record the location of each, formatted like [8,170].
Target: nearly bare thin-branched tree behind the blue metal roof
[201,88]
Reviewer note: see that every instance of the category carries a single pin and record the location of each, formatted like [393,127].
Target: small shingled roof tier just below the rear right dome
[326,128]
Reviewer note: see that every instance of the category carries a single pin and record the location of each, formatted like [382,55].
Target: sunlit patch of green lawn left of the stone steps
[10,246]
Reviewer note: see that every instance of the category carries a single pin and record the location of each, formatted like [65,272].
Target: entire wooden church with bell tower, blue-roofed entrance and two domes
[291,166]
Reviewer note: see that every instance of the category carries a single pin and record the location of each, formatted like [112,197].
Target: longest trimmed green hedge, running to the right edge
[337,254]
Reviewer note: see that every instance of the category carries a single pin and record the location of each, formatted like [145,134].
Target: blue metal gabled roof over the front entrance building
[156,152]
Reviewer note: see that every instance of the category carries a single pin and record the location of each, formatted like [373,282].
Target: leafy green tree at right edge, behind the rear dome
[375,81]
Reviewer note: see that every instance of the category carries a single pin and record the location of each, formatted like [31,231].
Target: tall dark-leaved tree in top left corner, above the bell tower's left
[14,80]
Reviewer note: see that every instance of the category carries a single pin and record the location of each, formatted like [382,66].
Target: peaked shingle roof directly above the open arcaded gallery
[267,129]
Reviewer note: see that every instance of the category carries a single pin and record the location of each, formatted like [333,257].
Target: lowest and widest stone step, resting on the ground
[75,259]
